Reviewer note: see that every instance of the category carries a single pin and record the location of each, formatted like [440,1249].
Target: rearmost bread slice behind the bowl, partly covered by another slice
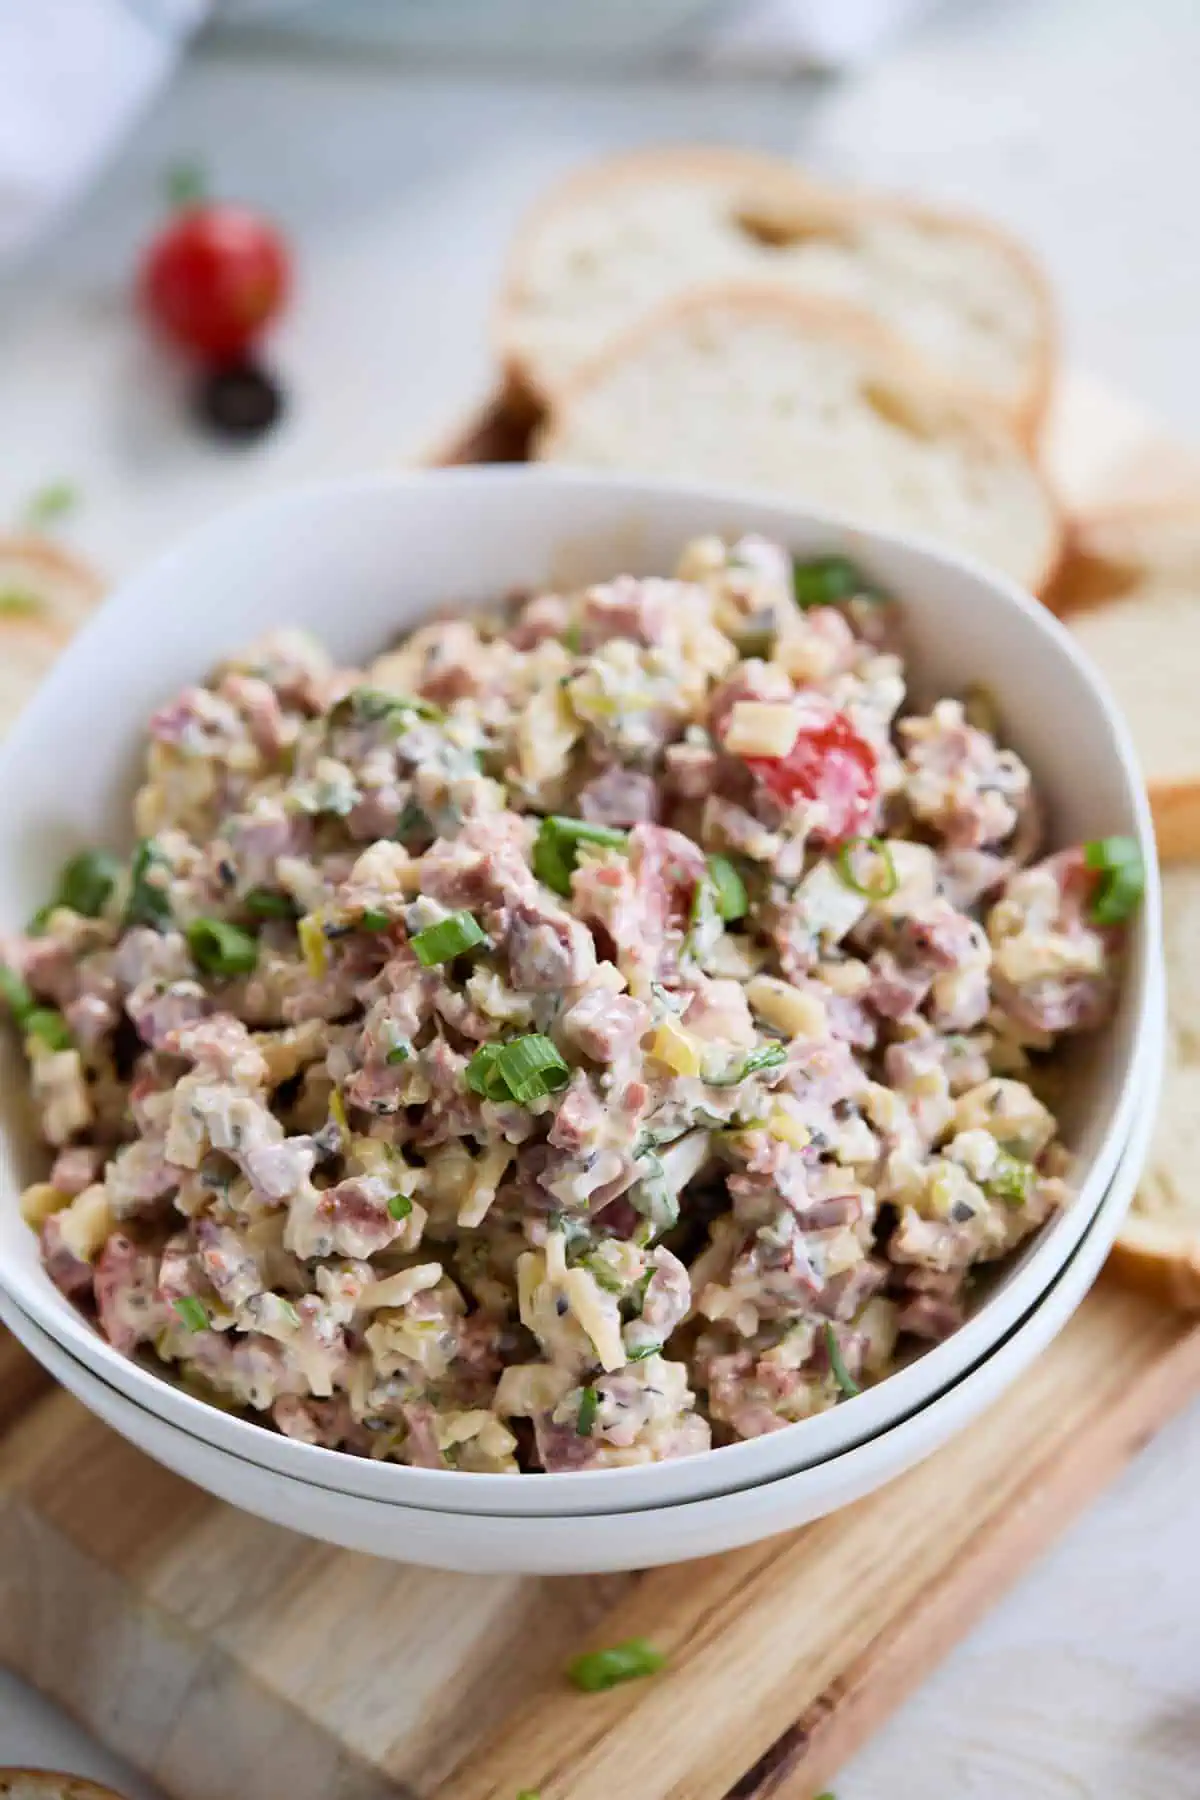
[618,240]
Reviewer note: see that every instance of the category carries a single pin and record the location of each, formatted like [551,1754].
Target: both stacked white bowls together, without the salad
[357,562]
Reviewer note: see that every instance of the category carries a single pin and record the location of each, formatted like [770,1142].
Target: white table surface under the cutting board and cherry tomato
[1071,120]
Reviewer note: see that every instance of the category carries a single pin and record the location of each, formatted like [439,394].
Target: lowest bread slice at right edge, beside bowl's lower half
[1160,1243]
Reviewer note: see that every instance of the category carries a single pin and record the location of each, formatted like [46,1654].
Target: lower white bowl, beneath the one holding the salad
[595,1543]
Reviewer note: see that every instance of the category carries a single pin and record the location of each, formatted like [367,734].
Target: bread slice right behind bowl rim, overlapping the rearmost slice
[758,390]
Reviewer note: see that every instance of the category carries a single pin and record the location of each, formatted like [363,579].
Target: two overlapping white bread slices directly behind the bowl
[717,316]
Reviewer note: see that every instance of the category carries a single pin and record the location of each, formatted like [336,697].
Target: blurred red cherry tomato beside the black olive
[213,280]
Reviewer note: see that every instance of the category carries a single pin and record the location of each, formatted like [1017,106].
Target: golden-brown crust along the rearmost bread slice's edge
[769,181]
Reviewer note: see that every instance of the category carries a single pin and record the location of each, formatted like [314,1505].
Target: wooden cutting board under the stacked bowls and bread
[229,1659]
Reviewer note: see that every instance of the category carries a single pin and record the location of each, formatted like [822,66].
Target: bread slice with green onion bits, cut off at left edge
[46,595]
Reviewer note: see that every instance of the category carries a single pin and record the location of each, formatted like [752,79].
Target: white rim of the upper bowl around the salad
[891,1398]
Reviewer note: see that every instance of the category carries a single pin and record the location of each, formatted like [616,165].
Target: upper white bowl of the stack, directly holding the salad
[359,561]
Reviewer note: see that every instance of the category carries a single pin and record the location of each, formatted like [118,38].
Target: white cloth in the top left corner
[75,75]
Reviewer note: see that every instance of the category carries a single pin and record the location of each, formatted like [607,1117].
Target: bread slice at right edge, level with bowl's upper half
[1131,593]
